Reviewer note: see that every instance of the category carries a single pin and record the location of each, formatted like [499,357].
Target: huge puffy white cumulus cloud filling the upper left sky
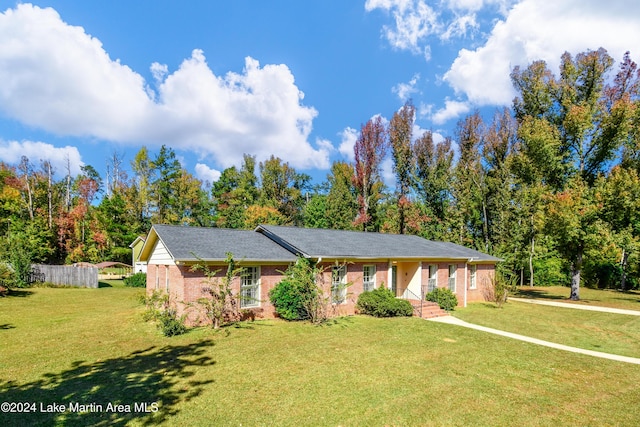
[56,77]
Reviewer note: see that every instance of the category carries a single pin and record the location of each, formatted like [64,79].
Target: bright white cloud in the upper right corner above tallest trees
[540,29]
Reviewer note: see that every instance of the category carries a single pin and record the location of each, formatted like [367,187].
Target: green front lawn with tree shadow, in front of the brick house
[91,346]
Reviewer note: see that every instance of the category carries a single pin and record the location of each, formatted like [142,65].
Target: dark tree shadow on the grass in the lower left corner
[154,376]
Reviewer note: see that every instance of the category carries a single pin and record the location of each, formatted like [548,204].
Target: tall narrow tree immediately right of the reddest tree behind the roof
[400,139]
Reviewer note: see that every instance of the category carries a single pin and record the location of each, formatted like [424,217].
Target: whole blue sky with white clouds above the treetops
[82,82]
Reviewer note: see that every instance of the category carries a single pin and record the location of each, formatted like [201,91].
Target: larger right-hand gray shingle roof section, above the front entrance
[324,243]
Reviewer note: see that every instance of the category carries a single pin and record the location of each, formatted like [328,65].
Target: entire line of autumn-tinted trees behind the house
[550,185]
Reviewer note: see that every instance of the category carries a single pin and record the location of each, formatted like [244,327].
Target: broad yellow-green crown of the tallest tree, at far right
[578,122]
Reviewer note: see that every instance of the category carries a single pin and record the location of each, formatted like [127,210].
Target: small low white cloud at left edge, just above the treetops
[37,152]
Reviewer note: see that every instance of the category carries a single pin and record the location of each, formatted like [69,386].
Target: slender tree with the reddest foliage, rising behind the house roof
[369,151]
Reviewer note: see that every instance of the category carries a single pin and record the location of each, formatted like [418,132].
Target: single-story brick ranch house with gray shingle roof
[408,265]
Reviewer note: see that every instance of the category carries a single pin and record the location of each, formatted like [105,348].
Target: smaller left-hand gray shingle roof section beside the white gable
[212,244]
